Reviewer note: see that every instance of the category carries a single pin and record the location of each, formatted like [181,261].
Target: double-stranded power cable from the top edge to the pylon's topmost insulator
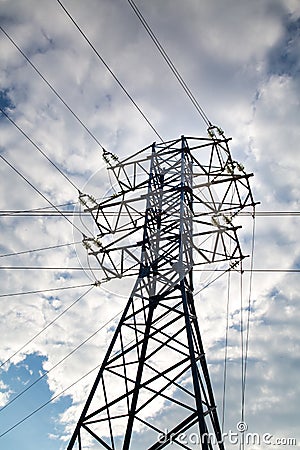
[169,62]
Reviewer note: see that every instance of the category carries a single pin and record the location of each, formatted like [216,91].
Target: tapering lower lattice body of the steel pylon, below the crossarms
[154,373]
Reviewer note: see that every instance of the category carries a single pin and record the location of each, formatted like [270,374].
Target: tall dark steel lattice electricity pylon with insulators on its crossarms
[175,208]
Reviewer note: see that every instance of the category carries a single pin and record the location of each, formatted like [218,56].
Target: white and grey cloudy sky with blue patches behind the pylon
[241,61]
